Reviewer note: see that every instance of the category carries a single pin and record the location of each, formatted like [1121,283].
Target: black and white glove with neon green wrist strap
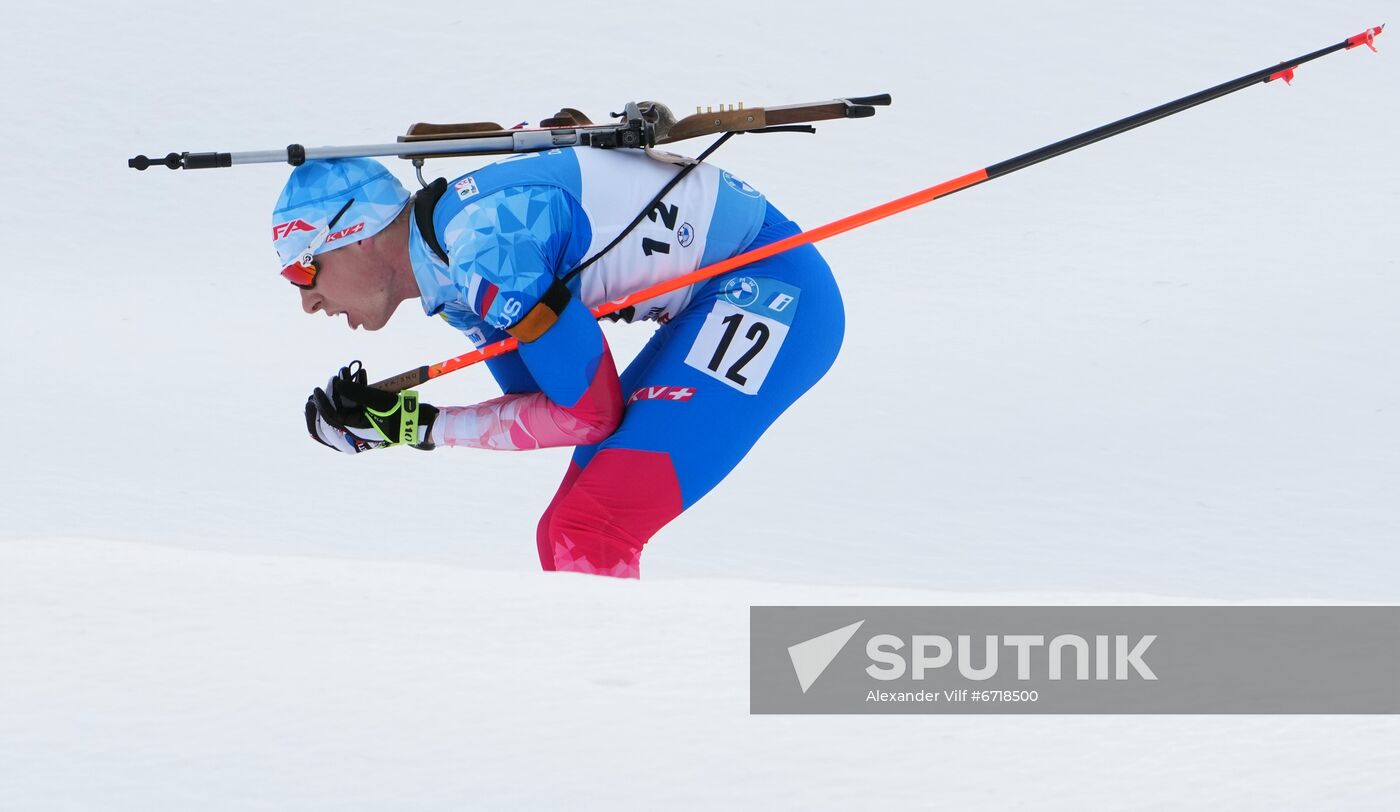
[351,416]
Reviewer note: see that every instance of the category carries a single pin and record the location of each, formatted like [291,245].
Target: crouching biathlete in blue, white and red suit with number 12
[492,253]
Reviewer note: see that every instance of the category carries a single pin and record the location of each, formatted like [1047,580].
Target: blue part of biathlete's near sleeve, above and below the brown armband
[506,250]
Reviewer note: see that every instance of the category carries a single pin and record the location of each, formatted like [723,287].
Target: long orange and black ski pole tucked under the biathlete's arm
[1283,71]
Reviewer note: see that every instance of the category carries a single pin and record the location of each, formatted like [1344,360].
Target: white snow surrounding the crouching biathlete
[1157,370]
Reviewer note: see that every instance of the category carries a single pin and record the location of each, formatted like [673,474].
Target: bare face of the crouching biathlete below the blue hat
[352,282]
